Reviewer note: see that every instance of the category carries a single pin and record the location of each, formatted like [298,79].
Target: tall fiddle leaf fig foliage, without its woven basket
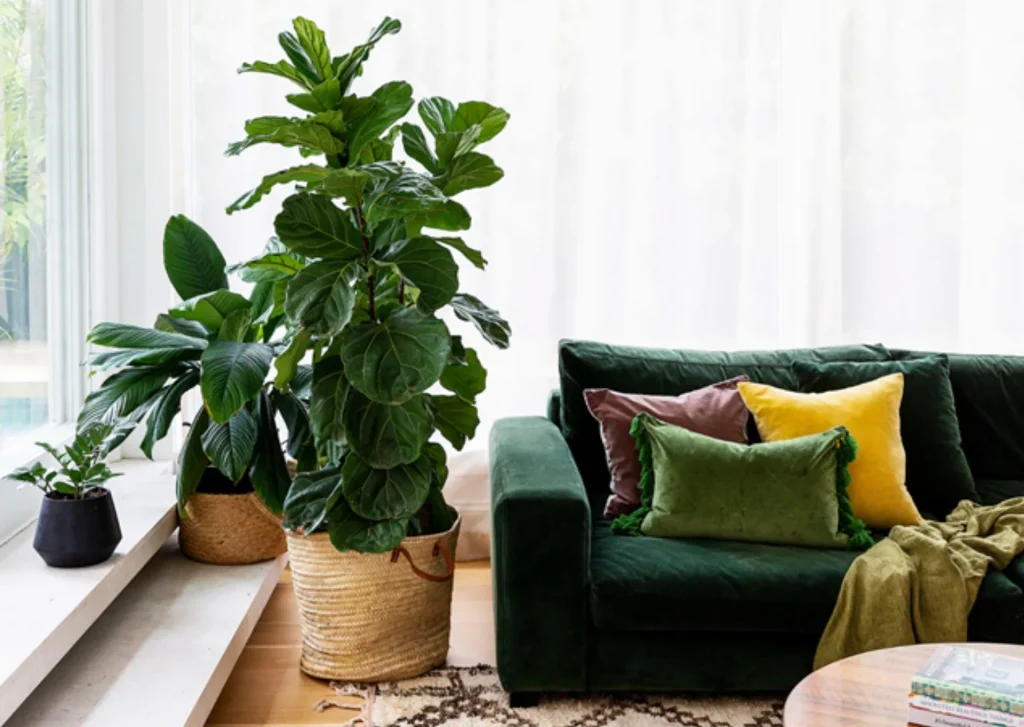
[366,248]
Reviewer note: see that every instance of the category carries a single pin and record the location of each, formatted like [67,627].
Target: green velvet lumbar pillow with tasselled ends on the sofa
[787,493]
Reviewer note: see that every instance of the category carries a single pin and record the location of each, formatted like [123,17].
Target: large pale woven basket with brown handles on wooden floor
[373,618]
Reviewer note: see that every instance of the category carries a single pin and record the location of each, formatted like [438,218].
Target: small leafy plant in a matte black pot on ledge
[78,524]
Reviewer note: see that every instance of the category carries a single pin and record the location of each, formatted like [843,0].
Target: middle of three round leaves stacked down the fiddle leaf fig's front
[387,436]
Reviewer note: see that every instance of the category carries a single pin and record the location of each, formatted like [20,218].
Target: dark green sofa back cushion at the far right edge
[989,392]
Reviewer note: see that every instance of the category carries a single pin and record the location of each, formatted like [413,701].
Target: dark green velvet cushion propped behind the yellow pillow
[937,473]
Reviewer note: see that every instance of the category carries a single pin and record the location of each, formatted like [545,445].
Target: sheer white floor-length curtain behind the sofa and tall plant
[685,174]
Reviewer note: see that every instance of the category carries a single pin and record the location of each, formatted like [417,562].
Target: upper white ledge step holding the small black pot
[45,612]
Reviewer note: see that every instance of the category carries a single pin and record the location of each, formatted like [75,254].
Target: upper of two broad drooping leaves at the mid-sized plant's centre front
[233,374]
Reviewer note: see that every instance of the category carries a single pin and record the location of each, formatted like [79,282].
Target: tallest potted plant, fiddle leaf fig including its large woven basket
[373,235]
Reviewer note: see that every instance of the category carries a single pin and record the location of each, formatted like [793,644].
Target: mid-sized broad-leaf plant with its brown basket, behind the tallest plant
[232,477]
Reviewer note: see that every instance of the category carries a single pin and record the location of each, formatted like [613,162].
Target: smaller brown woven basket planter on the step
[230,530]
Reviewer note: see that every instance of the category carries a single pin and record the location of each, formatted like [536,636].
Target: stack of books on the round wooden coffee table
[962,688]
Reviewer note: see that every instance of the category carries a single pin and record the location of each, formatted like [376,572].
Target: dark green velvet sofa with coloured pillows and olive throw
[578,609]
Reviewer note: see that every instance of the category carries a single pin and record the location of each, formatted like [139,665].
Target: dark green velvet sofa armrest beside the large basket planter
[540,558]
